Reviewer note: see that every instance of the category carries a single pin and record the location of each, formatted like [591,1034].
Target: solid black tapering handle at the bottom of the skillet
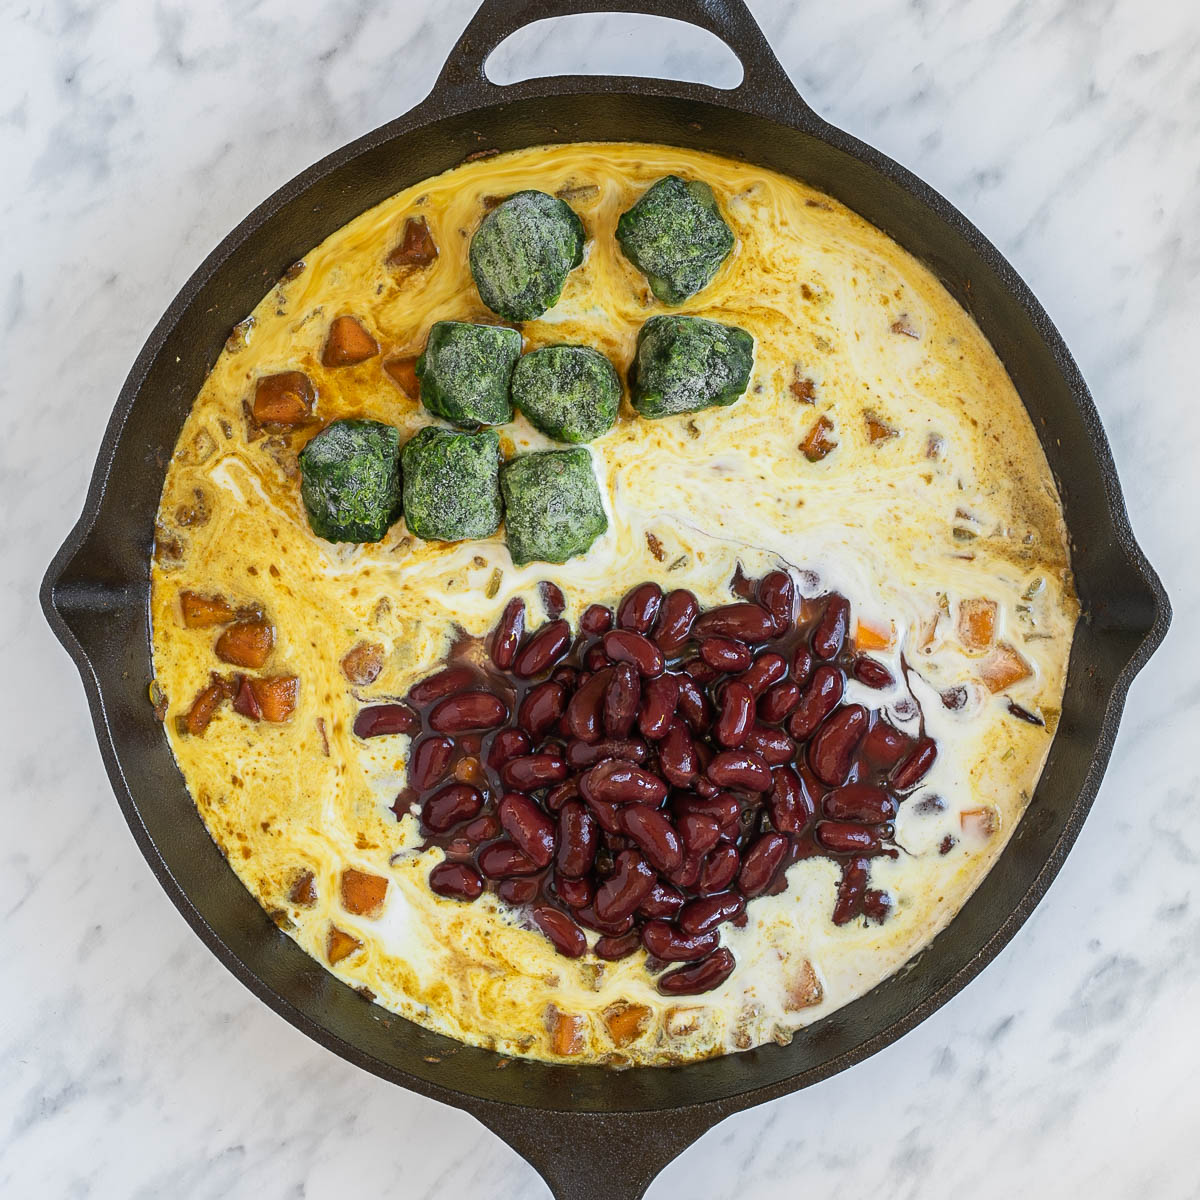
[597,1156]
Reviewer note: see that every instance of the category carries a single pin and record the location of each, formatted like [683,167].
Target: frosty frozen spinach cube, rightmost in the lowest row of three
[553,508]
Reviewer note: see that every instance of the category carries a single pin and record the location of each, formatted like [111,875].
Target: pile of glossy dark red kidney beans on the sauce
[649,776]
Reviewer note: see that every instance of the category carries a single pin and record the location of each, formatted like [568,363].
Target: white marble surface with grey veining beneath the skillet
[131,1064]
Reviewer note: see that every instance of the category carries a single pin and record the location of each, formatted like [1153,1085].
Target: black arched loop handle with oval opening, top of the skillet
[766,88]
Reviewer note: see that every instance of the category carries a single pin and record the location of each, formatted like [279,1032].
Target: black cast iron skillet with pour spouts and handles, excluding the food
[590,1132]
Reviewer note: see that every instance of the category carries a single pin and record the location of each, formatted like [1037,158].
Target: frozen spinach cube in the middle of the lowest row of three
[452,484]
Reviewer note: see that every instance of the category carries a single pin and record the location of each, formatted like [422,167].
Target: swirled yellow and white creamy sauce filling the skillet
[956,503]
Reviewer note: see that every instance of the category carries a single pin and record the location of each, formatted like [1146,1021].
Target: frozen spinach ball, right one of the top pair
[676,237]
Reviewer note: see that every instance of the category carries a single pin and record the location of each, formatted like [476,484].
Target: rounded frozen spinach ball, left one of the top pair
[523,254]
